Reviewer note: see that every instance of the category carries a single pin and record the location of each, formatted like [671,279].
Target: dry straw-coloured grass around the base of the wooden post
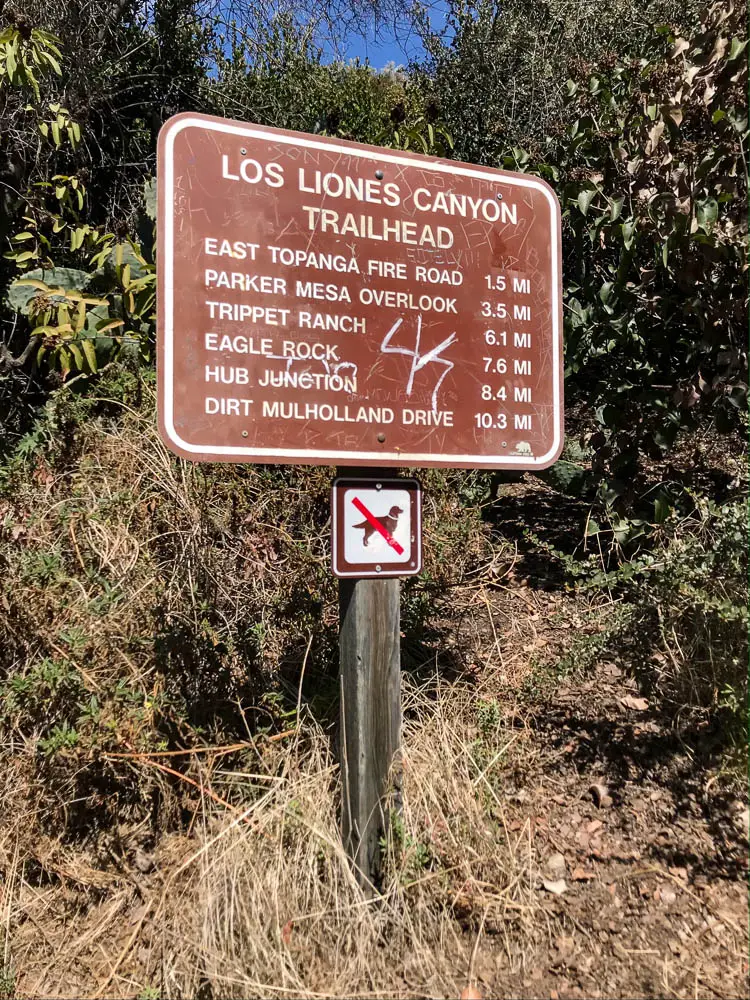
[262,902]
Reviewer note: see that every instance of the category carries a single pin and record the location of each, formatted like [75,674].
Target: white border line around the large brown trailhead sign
[178,124]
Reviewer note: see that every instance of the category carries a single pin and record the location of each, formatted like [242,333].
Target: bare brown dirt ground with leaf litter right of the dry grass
[644,867]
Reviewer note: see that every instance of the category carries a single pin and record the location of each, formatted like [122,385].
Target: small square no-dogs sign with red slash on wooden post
[377,527]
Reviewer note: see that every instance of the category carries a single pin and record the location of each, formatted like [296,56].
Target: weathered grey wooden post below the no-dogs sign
[370,715]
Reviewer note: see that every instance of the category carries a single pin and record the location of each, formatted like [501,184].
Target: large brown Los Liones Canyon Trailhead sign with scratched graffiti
[326,302]
